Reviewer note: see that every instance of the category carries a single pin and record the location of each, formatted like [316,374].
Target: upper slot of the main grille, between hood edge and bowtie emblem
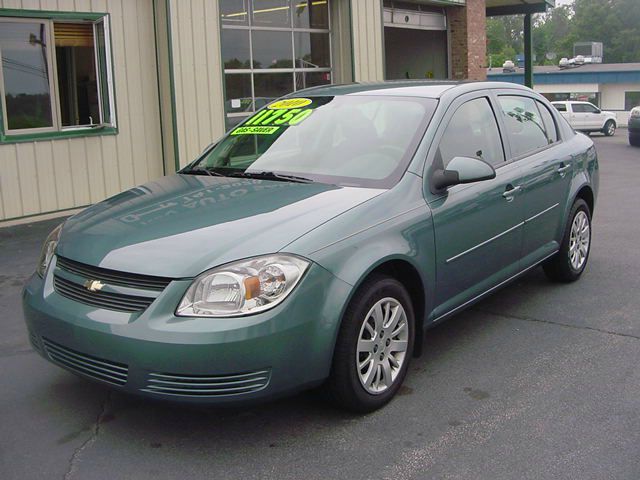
[113,277]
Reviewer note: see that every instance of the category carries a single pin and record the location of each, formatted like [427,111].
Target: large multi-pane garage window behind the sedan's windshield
[271,48]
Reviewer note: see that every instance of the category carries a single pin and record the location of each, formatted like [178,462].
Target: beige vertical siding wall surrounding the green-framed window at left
[49,175]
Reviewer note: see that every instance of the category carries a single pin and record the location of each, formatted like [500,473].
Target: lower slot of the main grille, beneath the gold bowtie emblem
[108,300]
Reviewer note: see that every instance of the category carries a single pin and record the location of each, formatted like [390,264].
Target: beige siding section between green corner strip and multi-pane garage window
[197,75]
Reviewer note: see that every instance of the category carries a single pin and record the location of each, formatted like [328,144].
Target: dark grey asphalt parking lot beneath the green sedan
[541,381]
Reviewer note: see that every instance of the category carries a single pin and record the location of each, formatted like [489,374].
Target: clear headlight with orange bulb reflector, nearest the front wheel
[240,288]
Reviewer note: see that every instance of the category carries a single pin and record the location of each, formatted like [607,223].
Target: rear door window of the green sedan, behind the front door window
[524,124]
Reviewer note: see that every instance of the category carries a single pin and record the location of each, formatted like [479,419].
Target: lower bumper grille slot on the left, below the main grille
[96,368]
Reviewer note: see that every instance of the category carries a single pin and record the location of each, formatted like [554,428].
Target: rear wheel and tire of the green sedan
[568,264]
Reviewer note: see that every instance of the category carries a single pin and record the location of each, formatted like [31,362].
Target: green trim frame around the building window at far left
[63,133]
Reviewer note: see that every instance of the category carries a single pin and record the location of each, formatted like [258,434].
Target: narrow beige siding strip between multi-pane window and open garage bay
[368,44]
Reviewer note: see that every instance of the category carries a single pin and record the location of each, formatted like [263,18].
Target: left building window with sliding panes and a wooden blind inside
[55,75]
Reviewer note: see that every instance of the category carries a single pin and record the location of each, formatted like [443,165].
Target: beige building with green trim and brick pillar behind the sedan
[98,96]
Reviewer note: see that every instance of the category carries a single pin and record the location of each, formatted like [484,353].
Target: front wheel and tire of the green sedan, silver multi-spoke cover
[363,376]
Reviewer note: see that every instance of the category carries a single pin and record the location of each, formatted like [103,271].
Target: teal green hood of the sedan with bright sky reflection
[182,225]
